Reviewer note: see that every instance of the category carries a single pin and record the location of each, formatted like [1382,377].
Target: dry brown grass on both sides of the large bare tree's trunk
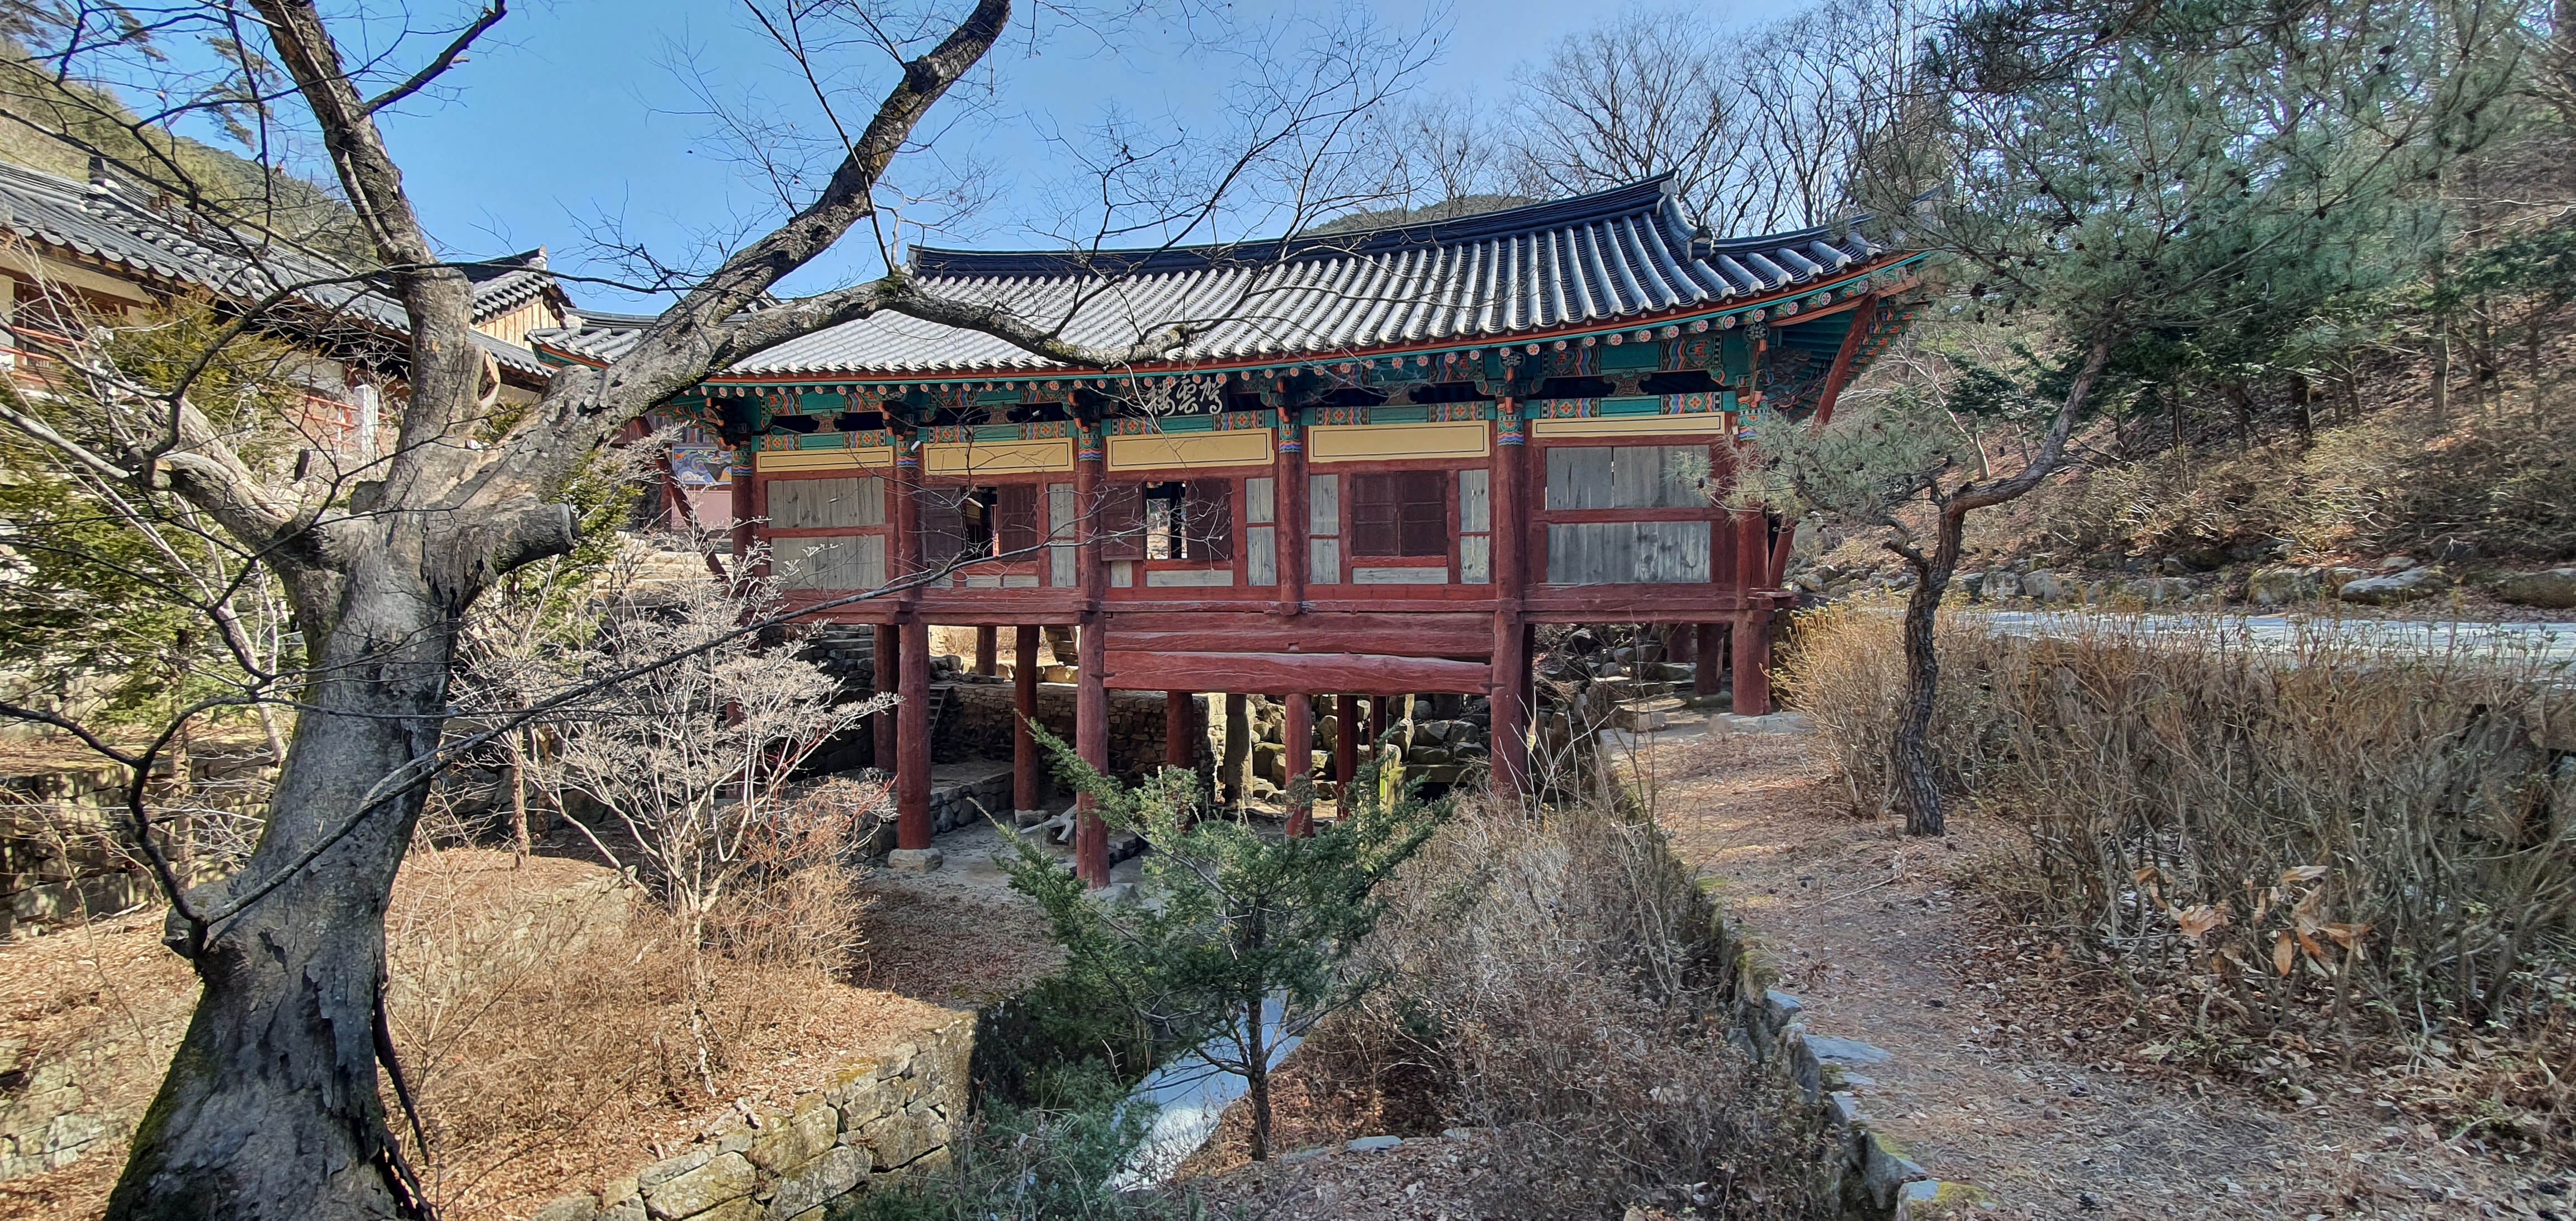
[542,1011]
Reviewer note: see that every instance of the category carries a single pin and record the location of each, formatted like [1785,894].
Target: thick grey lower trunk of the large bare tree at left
[272,1104]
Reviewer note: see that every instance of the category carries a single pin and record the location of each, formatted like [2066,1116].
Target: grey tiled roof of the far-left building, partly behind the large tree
[161,243]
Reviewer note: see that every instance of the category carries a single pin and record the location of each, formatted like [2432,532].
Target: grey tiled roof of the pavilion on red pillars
[1570,269]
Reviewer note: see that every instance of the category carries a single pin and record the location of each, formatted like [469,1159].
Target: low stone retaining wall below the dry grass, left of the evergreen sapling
[877,1119]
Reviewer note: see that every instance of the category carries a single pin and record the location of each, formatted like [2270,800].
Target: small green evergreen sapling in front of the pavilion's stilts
[1233,918]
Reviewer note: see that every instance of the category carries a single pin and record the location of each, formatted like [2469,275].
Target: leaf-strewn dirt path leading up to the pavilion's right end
[2005,1075]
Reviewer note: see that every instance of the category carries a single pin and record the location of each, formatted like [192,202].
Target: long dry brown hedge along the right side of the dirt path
[2340,833]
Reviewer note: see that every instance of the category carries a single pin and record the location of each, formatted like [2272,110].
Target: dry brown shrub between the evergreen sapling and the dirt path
[1565,972]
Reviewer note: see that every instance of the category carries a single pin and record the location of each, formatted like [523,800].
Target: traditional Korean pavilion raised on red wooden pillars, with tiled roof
[1387,460]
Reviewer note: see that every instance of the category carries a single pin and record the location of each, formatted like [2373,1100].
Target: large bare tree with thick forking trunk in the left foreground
[272,1106]
